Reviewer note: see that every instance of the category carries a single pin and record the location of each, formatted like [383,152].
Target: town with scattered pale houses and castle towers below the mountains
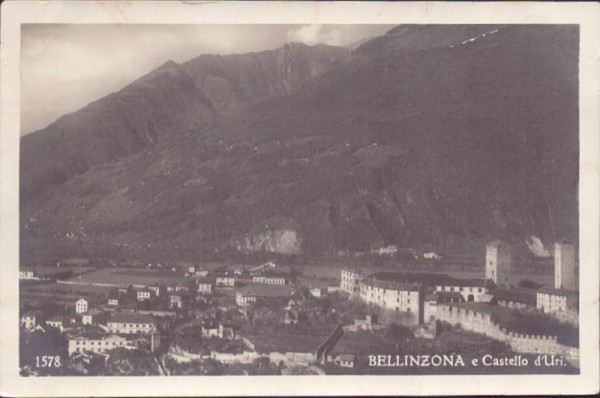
[275,319]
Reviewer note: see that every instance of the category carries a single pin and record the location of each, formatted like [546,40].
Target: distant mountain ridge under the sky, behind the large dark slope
[171,100]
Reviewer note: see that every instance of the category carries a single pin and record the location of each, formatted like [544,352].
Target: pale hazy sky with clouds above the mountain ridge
[65,67]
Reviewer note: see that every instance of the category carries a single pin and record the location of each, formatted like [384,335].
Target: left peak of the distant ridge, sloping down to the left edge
[146,113]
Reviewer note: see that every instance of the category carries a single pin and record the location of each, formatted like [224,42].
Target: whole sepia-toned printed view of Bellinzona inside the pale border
[299,199]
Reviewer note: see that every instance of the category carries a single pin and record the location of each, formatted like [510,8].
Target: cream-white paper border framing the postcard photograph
[14,13]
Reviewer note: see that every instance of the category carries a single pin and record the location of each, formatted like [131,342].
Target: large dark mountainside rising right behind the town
[428,135]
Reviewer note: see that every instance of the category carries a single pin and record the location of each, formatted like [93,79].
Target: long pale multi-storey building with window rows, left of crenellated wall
[389,294]
